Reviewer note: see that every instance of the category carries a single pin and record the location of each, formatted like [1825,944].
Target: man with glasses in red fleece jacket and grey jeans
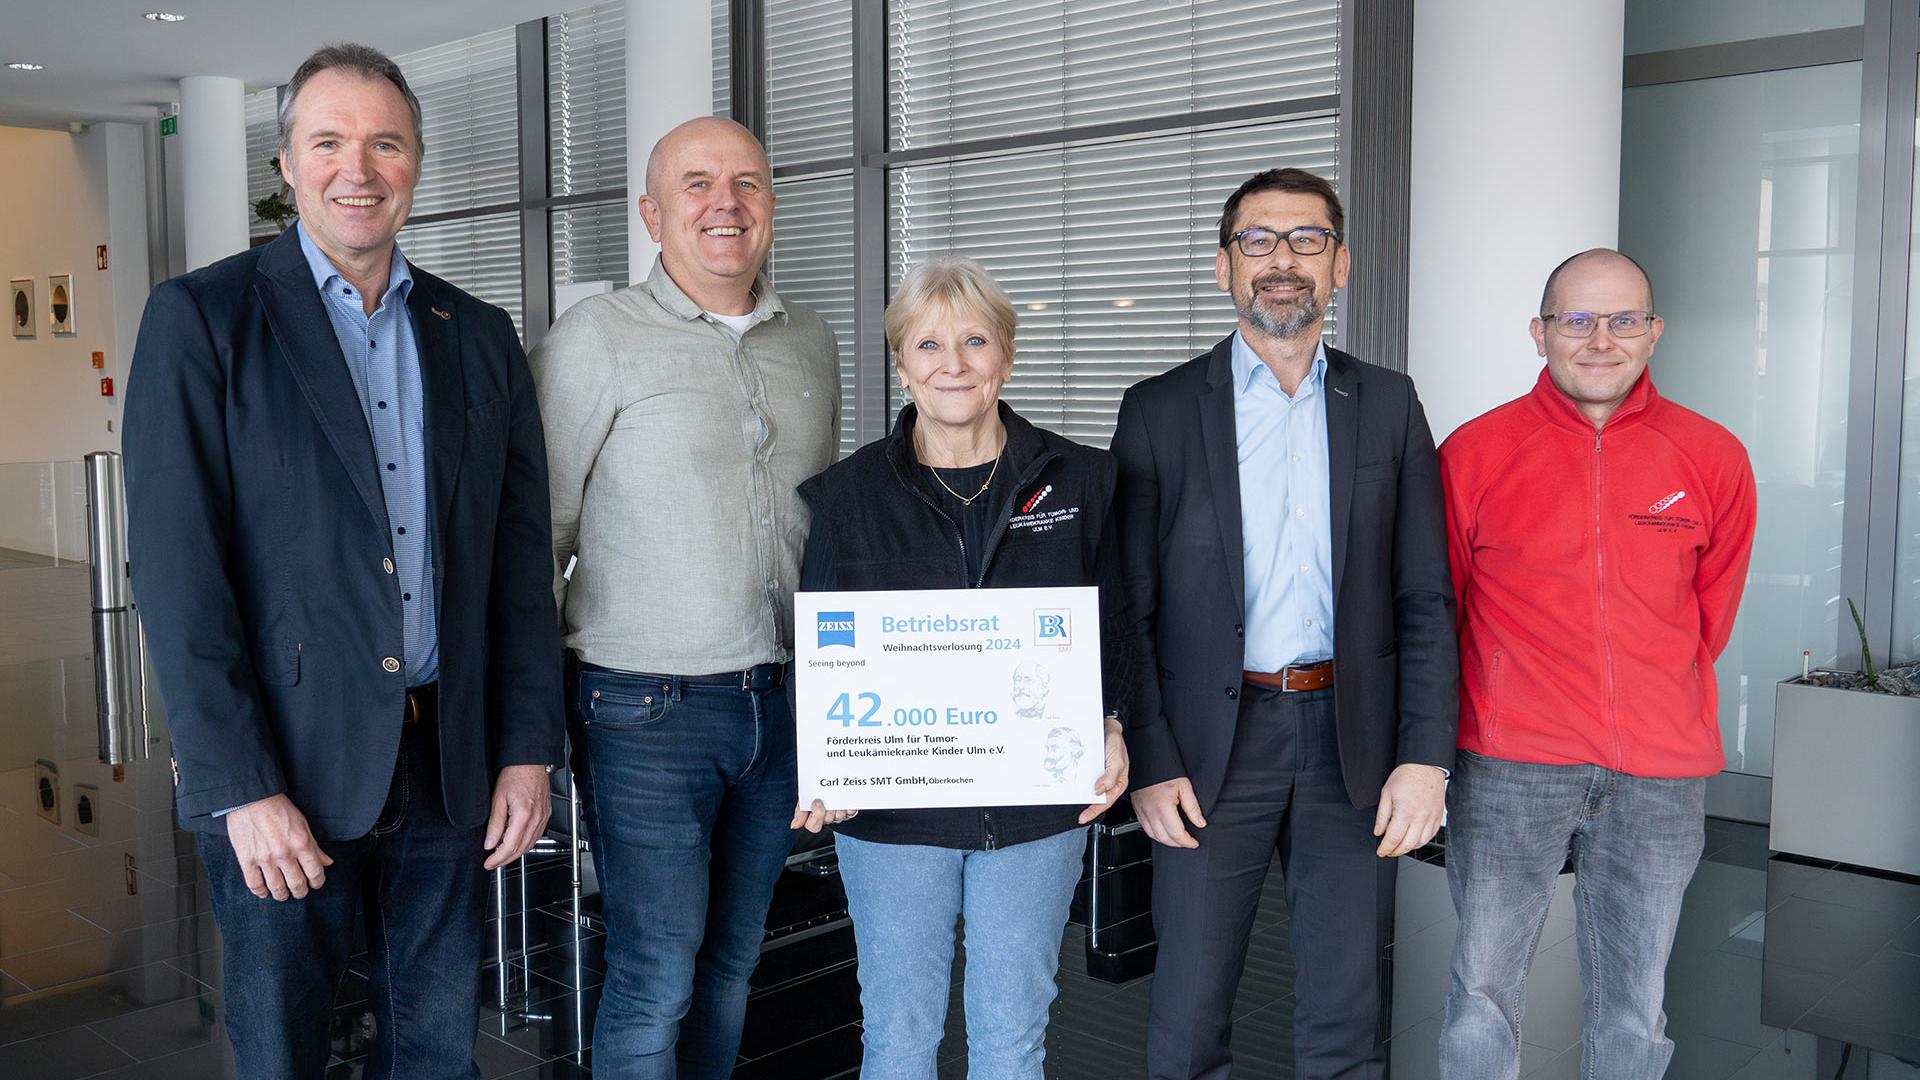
[1598,539]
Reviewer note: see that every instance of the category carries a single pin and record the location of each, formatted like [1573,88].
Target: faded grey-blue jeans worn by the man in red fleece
[1635,845]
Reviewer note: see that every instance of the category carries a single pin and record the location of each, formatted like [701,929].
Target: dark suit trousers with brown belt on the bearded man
[1284,793]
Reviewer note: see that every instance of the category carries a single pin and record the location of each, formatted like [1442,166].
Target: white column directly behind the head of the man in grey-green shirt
[669,80]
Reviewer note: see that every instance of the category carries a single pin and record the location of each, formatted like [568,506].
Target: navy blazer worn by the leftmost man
[258,533]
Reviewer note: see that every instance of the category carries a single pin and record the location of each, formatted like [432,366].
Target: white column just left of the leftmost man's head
[214,168]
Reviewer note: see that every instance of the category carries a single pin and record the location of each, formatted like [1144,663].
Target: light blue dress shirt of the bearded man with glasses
[1285,516]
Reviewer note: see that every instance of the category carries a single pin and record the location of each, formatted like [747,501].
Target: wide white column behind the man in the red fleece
[1516,166]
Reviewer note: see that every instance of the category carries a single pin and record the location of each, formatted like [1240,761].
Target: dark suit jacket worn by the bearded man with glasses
[1180,524]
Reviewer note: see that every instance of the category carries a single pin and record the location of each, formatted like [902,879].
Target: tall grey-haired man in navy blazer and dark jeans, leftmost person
[339,541]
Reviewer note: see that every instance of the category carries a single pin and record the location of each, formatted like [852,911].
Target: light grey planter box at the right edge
[1848,777]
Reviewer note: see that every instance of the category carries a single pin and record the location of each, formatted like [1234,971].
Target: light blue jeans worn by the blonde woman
[905,898]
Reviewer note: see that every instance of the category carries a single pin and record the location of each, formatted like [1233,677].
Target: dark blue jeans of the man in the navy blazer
[423,887]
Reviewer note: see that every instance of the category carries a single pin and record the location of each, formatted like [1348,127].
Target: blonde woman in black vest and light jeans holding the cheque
[930,506]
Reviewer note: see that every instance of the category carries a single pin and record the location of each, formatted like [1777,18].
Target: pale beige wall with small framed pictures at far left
[62,195]
